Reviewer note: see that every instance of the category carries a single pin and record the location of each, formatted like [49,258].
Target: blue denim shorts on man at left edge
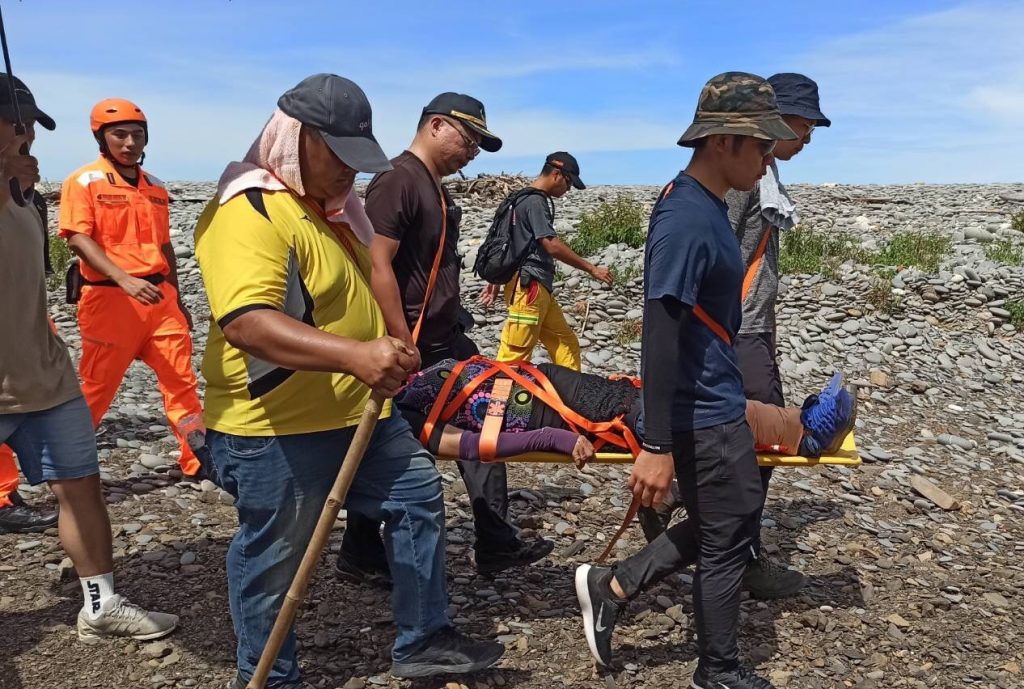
[55,445]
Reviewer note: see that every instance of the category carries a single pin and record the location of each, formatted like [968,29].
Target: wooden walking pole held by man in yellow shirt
[297,592]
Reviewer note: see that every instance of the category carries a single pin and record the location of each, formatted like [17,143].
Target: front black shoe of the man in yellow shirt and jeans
[449,653]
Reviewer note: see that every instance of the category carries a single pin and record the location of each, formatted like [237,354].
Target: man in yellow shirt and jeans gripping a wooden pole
[296,347]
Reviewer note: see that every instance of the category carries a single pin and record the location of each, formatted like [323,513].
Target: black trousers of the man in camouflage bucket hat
[721,489]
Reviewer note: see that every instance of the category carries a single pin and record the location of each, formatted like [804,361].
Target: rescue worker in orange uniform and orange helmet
[115,218]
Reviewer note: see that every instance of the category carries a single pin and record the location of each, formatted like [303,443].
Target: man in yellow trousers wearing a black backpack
[534,314]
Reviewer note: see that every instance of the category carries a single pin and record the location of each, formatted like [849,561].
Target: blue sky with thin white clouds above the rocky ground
[918,92]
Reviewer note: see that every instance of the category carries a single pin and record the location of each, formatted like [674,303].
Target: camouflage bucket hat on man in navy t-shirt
[738,103]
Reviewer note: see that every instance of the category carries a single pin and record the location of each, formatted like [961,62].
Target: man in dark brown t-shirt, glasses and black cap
[414,217]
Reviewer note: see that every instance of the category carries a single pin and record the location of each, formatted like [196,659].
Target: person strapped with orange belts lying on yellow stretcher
[541,417]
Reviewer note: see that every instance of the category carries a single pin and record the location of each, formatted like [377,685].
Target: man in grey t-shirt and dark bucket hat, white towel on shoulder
[757,218]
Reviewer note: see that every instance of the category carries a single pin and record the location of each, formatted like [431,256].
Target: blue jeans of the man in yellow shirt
[281,485]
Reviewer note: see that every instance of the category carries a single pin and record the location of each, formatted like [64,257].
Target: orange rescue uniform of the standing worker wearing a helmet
[132,226]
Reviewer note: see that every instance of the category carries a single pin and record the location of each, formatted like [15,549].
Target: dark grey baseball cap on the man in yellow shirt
[339,110]
